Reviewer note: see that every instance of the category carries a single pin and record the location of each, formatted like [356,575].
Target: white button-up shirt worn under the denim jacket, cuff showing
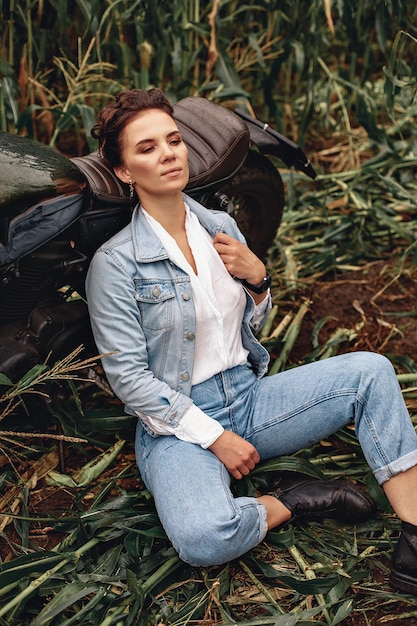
[219,303]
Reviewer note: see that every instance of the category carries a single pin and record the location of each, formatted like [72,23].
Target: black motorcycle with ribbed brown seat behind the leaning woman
[55,212]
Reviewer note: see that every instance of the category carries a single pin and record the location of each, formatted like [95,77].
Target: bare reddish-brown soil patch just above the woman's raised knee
[377,301]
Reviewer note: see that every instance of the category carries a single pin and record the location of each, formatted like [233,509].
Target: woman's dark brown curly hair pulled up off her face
[113,118]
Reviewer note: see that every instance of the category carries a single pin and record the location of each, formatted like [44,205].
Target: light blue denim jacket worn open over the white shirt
[142,312]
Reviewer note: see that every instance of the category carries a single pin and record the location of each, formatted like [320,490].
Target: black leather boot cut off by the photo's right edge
[404,560]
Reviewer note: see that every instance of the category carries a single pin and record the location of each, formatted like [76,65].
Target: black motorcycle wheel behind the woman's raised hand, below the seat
[257,194]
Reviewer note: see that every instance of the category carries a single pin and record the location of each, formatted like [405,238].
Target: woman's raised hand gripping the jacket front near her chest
[238,259]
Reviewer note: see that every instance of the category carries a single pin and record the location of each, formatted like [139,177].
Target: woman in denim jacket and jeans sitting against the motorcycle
[176,296]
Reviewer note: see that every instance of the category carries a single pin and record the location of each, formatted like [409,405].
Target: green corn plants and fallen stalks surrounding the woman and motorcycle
[80,541]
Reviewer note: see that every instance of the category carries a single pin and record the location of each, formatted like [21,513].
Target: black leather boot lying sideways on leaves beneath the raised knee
[308,497]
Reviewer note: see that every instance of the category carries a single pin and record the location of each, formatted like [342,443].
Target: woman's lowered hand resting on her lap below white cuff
[237,455]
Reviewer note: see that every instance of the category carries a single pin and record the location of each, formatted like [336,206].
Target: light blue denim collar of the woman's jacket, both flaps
[148,247]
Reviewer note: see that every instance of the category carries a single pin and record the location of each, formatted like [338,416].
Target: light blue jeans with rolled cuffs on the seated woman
[278,414]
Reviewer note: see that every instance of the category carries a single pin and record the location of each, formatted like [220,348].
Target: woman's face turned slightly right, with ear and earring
[154,155]
